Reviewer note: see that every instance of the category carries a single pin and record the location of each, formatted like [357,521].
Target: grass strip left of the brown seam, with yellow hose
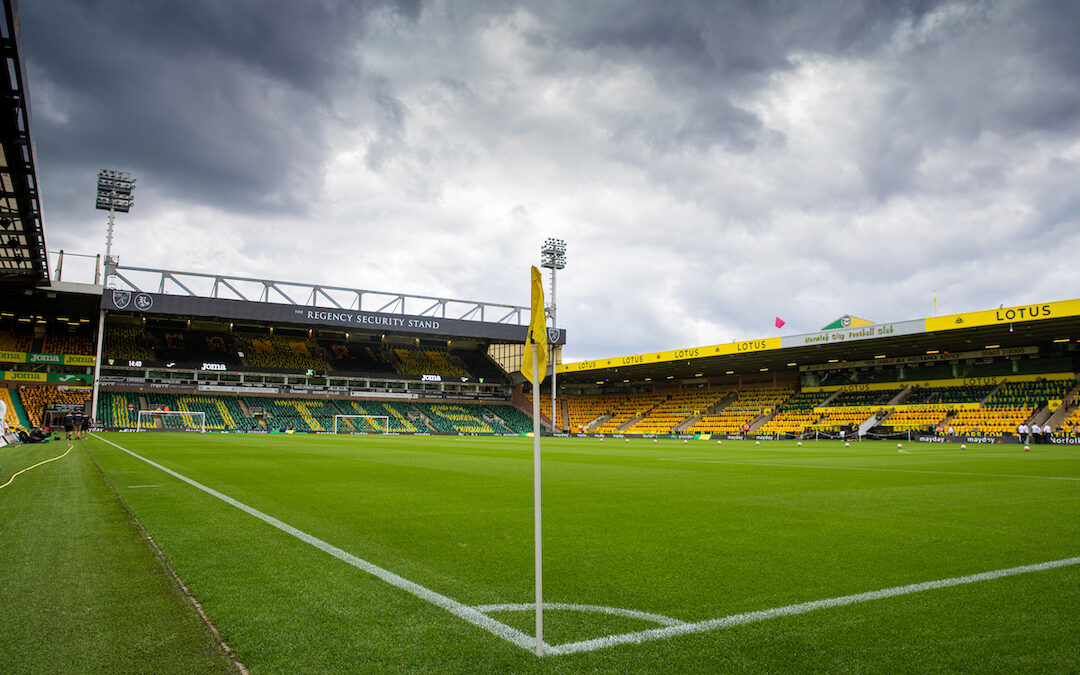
[80,589]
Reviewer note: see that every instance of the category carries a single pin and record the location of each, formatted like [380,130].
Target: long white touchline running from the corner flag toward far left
[472,616]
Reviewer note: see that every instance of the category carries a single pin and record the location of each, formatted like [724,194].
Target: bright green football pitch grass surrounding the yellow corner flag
[694,532]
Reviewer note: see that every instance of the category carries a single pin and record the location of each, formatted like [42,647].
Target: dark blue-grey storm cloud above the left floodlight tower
[222,103]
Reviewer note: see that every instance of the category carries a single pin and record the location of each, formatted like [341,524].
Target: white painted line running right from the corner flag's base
[802,609]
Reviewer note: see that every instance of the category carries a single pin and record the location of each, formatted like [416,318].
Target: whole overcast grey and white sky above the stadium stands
[711,166]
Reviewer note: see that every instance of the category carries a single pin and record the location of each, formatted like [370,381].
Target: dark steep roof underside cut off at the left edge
[23,259]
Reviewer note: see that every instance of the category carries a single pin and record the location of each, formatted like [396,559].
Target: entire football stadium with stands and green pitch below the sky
[287,477]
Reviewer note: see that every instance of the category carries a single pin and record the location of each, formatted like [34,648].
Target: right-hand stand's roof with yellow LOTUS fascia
[988,331]
